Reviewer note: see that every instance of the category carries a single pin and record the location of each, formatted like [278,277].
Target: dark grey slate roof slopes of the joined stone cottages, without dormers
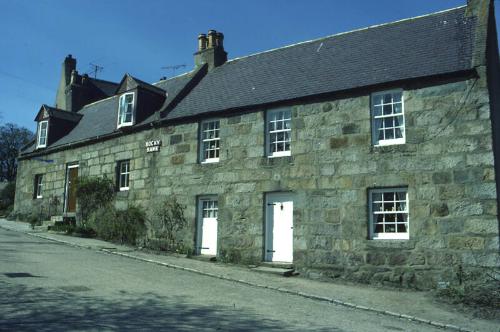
[434,44]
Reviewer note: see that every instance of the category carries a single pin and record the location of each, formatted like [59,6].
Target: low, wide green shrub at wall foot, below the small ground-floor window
[124,226]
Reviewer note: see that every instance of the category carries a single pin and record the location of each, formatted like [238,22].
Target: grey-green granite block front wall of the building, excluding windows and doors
[447,165]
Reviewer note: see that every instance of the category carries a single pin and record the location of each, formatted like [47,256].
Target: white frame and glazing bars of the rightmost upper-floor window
[381,118]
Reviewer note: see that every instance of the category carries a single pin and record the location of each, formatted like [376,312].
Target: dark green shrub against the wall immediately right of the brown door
[93,193]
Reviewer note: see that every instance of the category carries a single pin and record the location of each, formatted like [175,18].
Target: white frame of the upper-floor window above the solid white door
[272,131]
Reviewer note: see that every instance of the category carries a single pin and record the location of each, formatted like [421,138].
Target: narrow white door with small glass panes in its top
[207,226]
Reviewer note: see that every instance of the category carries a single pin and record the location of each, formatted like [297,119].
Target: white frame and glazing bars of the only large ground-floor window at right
[374,213]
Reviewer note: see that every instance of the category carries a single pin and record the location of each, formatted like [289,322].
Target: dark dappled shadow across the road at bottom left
[43,309]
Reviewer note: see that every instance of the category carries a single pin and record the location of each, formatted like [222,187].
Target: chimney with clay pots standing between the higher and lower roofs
[210,50]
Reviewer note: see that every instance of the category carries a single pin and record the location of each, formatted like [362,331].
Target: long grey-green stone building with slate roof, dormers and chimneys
[369,155]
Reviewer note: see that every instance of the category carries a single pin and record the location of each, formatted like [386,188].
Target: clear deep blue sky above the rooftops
[140,37]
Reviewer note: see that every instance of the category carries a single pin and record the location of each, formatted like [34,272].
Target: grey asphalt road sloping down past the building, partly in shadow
[46,286]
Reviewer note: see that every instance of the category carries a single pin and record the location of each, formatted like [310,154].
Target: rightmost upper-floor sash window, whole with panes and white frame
[388,121]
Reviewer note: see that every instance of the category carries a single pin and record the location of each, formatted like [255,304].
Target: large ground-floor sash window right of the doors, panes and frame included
[389,213]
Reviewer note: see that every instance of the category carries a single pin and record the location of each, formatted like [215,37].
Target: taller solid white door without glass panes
[279,227]
